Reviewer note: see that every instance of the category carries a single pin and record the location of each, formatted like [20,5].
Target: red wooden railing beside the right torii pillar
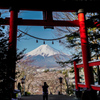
[76,70]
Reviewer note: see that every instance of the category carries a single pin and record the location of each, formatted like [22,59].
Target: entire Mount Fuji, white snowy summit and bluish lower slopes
[46,56]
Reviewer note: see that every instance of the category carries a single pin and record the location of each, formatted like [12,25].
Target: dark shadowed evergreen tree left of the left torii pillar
[6,81]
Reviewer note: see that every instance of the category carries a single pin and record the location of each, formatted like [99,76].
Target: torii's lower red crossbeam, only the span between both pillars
[50,23]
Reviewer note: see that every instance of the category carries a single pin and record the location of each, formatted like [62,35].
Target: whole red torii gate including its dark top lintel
[48,7]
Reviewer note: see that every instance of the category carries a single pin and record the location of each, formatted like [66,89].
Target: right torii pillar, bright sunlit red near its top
[84,45]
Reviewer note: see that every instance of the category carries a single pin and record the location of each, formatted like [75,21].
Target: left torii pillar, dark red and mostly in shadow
[13,41]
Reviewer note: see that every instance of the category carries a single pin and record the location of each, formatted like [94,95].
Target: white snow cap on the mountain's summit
[43,50]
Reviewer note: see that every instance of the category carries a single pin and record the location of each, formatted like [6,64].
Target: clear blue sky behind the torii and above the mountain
[37,31]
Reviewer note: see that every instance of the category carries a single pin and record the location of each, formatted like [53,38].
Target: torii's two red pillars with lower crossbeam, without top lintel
[14,21]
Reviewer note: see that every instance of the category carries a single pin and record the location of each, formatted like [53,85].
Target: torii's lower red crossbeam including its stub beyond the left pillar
[25,22]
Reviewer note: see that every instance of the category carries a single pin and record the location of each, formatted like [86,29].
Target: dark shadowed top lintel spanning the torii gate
[54,5]
